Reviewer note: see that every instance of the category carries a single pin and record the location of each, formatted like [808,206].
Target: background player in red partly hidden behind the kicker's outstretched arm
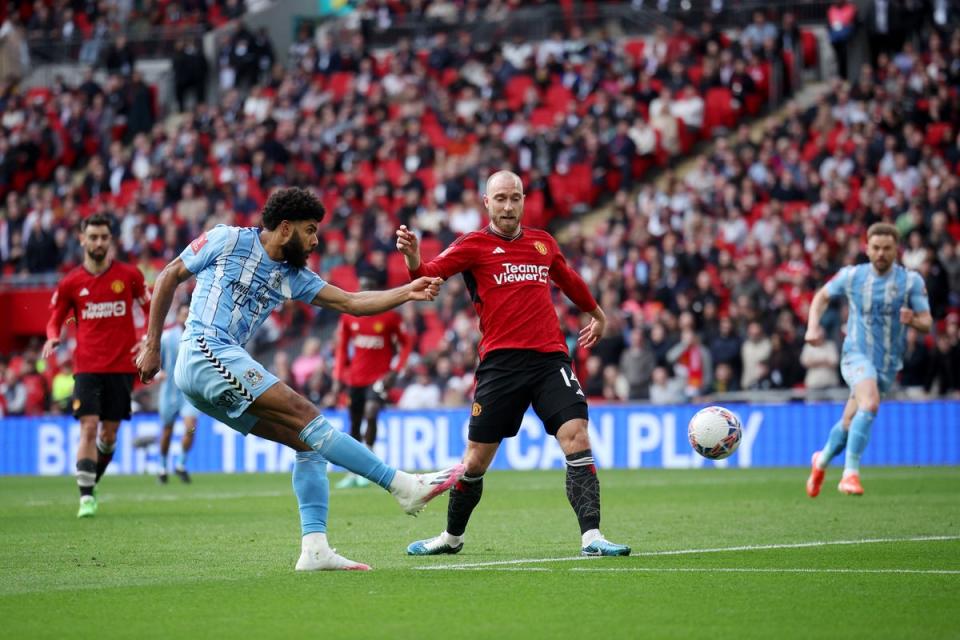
[366,349]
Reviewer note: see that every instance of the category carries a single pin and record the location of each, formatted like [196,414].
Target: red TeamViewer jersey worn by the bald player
[508,284]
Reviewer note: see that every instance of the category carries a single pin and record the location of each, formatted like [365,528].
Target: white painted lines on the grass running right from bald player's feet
[513,564]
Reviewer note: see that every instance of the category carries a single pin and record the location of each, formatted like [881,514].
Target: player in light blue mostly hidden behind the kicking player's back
[170,402]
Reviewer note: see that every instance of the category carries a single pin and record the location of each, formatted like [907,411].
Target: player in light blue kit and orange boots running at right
[883,299]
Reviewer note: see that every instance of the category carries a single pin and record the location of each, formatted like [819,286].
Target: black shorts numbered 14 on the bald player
[510,380]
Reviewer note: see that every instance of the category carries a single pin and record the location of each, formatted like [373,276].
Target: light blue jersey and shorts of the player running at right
[875,336]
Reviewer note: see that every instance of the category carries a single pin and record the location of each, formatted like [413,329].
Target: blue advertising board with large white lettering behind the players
[623,436]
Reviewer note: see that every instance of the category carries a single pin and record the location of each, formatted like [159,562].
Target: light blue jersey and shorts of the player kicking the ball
[238,285]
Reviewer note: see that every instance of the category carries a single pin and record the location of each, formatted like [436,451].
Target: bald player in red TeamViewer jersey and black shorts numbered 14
[523,357]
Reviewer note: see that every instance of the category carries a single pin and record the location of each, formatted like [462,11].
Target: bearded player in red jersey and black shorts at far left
[99,295]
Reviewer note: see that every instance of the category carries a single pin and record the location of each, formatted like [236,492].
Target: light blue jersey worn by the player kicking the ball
[238,284]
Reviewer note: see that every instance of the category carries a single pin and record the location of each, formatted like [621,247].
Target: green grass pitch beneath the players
[215,559]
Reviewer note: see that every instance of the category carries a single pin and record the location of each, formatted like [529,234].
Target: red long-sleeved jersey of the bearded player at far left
[102,305]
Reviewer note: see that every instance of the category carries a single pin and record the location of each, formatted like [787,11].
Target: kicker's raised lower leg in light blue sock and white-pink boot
[412,491]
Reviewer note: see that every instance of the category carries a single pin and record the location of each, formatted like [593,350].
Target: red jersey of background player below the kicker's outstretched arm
[375,340]
